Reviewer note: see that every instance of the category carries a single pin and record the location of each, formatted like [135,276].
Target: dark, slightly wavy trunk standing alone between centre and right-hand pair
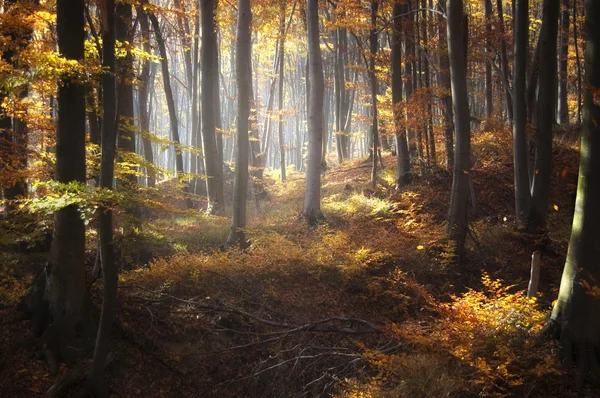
[457,215]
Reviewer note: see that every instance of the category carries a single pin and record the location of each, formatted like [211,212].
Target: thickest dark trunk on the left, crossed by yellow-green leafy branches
[65,273]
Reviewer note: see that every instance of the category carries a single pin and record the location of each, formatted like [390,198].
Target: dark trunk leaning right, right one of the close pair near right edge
[540,190]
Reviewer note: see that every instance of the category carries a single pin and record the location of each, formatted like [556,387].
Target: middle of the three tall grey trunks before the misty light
[244,82]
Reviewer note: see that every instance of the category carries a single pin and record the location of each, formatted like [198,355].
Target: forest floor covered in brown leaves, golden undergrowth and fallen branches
[369,304]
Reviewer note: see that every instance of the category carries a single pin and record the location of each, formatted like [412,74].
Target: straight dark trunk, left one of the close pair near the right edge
[522,195]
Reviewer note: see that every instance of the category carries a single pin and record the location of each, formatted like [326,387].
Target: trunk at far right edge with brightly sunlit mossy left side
[574,317]
